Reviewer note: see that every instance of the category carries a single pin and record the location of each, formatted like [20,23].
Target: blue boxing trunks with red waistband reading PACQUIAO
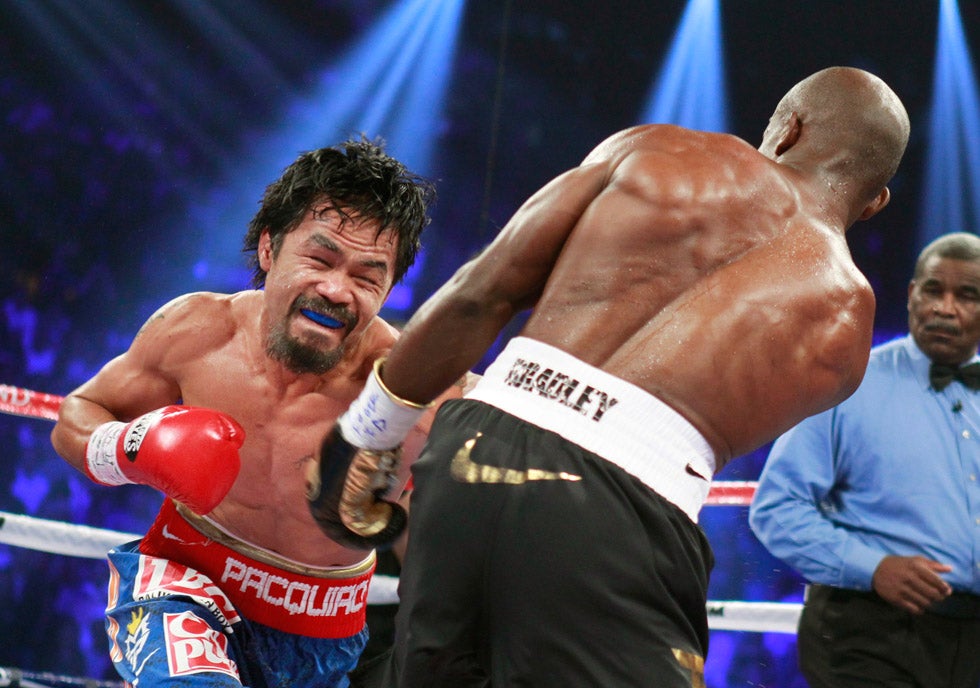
[186,609]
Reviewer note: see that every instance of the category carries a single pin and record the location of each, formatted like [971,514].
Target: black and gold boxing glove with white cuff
[356,468]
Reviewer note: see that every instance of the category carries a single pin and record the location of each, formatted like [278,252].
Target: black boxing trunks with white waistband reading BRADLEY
[553,539]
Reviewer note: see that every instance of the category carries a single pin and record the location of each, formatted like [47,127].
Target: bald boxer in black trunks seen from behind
[690,298]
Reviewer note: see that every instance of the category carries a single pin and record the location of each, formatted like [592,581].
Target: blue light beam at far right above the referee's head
[951,197]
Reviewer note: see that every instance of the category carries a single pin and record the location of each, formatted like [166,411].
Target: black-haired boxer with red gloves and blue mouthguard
[218,403]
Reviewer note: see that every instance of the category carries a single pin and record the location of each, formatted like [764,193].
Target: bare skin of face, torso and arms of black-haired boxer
[209,350]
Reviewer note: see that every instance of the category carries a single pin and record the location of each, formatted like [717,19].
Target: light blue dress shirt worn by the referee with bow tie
[893,469]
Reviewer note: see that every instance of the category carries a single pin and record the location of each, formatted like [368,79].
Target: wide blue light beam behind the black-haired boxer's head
[391,84]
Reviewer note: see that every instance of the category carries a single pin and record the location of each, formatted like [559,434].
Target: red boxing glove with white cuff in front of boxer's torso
[188,453]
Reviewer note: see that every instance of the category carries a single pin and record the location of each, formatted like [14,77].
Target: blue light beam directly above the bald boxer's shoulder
[690,87]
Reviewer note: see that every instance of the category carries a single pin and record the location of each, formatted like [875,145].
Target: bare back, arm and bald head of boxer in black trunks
[709,273]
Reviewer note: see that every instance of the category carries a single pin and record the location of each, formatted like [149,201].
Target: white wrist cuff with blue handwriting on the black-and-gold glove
[377,419]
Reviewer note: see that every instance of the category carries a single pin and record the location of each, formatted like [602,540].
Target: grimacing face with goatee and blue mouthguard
[328,281]
